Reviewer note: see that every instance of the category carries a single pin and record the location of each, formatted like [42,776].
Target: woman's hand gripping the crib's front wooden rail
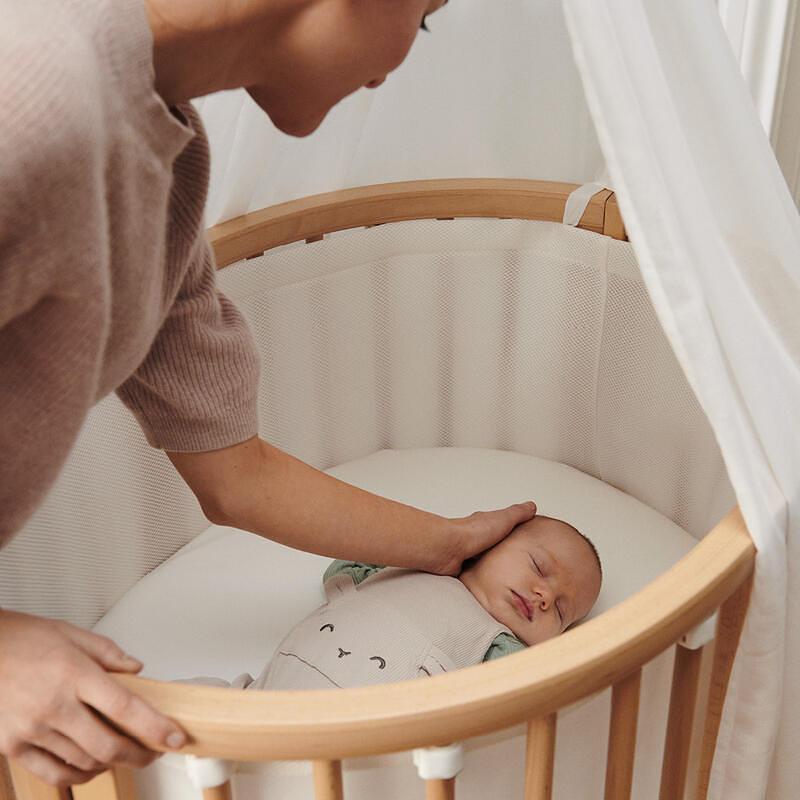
[62,714]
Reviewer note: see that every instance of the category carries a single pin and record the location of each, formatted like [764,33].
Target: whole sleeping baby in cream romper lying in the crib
[381,625]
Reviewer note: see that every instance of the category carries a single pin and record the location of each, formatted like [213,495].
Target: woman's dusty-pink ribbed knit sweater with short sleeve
[106,279]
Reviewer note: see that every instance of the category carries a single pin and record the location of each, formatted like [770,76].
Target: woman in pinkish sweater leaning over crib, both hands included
[107,283]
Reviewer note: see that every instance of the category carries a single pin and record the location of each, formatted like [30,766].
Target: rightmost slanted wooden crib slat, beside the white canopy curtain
[729,630]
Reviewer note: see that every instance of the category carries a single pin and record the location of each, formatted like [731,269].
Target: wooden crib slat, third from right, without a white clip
[622,737]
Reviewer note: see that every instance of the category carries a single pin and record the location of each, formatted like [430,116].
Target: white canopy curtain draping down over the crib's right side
[718,239]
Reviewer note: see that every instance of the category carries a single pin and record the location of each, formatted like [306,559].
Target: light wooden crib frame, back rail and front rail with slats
[528,687]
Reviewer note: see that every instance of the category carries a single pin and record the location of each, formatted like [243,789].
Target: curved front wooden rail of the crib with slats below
[607,651]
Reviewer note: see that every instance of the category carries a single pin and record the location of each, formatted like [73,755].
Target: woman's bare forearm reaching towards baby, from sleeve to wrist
[256,487]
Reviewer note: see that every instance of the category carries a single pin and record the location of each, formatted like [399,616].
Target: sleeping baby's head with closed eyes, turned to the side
[538,581]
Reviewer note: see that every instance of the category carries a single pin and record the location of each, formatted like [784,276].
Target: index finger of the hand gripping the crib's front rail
[127,711]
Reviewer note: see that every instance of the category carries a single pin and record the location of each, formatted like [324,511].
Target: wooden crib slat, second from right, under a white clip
[682,703]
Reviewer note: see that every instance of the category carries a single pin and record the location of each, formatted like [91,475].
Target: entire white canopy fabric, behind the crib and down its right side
[494,92]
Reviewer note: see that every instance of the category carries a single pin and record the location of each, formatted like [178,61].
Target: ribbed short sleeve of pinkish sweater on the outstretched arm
[196,388]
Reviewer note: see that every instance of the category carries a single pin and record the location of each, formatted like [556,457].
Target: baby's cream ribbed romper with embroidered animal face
[394,625]
